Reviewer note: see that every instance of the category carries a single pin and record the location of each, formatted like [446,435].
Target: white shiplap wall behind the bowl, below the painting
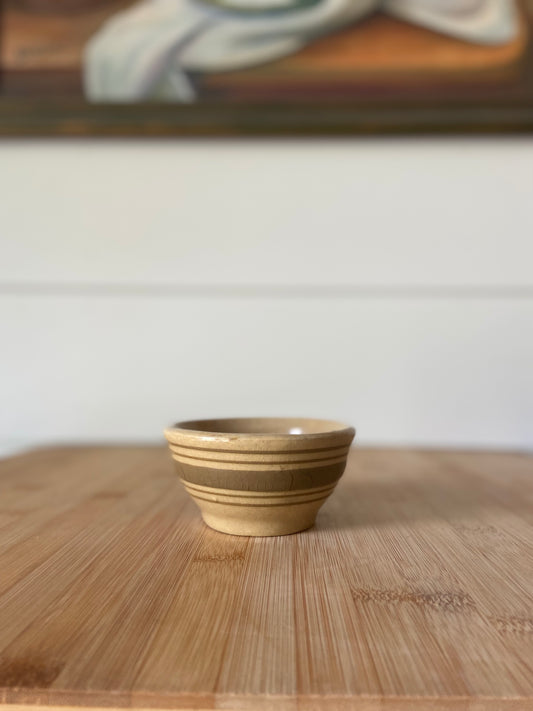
[385,282]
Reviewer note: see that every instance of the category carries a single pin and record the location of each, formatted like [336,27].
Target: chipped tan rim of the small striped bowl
[336,428]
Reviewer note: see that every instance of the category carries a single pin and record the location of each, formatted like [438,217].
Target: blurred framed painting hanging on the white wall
[265,67]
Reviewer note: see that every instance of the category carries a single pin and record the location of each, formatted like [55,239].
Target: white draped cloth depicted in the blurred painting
[147,51]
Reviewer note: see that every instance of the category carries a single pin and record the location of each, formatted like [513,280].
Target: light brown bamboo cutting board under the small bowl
[414,590]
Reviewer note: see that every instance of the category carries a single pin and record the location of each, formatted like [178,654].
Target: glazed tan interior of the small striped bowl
[264,426]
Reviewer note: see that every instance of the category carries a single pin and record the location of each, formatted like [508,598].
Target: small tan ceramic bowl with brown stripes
[260,476]
